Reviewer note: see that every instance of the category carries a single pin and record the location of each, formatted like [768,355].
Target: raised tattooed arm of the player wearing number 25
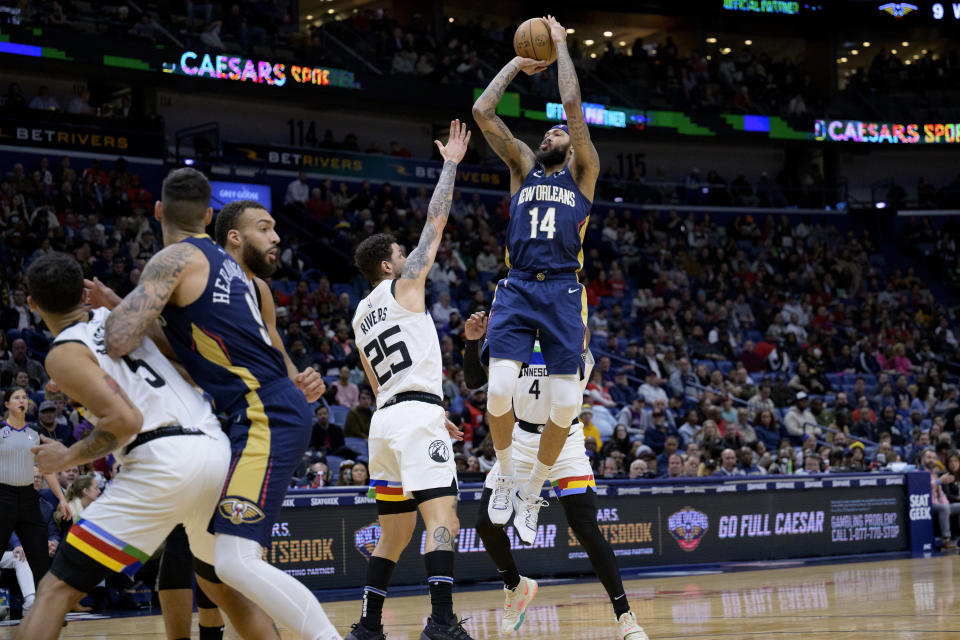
[409,288]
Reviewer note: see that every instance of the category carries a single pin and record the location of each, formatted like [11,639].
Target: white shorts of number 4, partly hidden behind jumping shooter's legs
[570,474]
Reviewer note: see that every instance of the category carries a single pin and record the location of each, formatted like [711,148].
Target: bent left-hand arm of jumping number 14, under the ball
[516,154]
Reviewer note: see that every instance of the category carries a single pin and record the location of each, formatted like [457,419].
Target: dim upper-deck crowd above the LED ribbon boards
[649,74]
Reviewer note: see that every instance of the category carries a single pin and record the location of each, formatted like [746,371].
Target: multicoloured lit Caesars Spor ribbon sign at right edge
[887,132]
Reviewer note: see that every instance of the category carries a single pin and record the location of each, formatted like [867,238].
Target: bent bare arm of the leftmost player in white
[76,371]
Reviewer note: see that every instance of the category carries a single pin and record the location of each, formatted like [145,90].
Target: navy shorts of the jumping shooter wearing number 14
[555,310]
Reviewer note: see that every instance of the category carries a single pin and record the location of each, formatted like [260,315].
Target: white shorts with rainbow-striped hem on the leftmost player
[162,483]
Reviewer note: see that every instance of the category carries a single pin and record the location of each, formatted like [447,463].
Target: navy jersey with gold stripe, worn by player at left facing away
[220,338]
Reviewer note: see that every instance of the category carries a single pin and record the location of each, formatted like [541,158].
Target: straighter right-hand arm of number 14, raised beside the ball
[586,162]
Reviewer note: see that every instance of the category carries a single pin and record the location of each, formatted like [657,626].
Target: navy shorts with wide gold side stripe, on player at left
[267,440]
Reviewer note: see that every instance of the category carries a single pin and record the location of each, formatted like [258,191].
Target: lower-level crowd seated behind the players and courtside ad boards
[751,345]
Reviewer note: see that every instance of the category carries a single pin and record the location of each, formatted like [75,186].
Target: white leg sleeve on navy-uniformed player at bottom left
[240,564]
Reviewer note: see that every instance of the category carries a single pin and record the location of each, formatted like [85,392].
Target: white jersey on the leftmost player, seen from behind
[147,377]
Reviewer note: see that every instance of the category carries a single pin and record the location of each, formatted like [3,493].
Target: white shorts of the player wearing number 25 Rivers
[409,451]
